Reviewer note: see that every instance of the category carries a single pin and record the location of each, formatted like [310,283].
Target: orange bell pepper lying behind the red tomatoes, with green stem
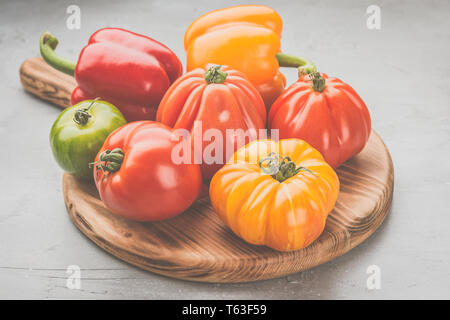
[246,38]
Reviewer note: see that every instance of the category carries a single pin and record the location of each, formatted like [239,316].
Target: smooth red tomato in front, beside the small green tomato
[137,178]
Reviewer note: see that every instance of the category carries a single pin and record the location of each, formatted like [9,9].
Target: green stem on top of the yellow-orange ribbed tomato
[280,169]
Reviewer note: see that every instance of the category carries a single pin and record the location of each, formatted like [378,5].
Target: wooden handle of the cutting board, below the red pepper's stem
[49,84]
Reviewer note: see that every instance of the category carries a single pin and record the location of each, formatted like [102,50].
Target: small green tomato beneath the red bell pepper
[80,131]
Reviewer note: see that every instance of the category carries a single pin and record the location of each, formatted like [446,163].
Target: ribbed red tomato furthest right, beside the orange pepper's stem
[325,112]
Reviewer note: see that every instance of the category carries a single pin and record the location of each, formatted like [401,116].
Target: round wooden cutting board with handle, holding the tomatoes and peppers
[196,245]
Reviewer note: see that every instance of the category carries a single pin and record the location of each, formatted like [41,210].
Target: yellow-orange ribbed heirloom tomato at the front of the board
[277,194]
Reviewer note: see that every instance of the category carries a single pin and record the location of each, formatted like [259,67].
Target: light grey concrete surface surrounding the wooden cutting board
[401,71]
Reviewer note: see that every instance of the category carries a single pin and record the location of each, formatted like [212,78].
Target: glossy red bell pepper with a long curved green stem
[129,70]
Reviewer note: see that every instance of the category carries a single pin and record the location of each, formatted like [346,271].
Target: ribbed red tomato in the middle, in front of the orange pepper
[211,103]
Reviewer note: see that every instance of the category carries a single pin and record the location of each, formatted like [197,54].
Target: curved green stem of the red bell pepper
[47,46]
